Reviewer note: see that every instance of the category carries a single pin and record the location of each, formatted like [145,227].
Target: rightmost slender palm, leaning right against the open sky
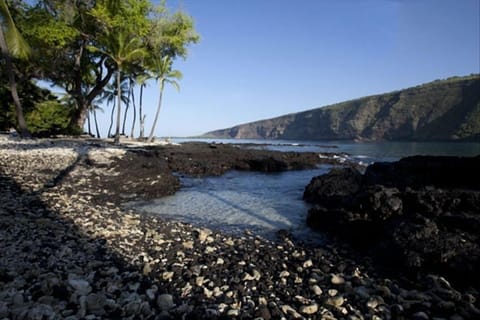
[163,73]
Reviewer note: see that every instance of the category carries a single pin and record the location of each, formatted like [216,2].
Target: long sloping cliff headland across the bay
[441,110]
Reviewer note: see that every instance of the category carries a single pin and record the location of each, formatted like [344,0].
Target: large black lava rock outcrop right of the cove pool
[418,214]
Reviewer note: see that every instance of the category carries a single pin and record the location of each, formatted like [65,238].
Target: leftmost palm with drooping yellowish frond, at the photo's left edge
[13,44]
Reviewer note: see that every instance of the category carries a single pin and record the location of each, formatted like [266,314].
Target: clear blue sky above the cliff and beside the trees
[259,59]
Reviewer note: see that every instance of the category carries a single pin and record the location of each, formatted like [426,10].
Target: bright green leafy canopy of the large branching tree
[85,45]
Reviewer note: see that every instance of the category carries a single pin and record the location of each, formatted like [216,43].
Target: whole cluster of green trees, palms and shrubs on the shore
[93,50]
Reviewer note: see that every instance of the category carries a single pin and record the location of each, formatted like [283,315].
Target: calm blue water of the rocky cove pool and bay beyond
[265,203]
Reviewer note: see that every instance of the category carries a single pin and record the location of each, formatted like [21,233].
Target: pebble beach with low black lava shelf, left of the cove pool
[69,250]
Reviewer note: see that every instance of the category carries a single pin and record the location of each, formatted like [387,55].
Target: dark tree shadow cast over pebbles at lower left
[51,267]
